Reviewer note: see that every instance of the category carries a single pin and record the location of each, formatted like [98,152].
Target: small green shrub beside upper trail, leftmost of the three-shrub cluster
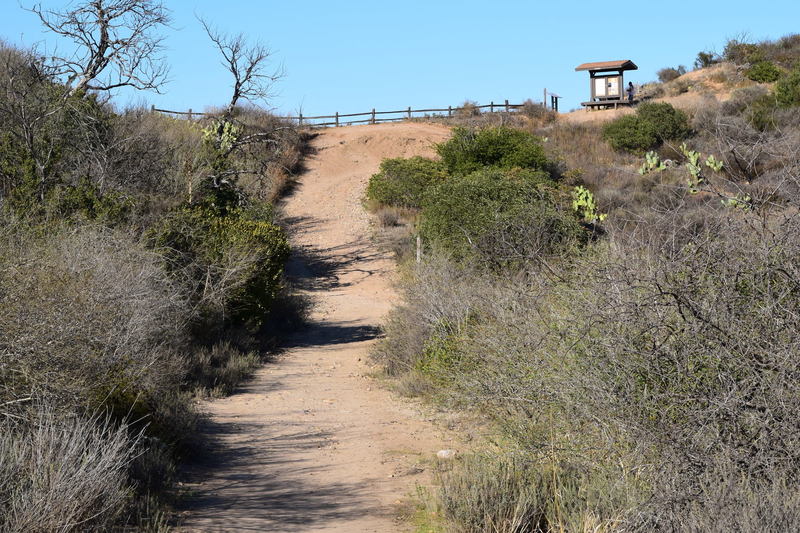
[402,182]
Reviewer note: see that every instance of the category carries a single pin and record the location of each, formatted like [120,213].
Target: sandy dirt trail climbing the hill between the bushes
[312,443]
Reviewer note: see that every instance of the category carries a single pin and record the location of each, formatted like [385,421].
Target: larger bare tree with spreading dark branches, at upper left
[117,44]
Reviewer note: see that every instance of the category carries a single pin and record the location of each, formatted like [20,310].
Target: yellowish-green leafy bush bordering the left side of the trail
[235,261]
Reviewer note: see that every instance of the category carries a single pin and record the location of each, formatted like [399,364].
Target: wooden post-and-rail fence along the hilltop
[370,117]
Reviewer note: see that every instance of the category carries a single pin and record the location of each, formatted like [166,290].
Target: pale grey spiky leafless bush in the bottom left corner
[62,474]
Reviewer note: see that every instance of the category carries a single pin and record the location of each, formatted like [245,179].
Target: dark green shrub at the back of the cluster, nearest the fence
[502,147]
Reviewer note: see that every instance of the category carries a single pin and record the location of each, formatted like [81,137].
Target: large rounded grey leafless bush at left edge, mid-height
[89,315]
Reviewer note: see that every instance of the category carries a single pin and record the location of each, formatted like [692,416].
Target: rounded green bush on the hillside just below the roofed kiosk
[652,124]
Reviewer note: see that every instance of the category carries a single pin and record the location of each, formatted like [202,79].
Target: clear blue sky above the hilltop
[351,56]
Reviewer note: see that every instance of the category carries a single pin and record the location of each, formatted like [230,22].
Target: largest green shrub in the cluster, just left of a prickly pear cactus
[498,217]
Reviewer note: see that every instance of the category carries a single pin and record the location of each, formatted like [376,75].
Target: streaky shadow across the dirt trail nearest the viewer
[251,500]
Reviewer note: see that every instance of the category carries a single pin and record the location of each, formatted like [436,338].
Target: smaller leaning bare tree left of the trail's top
[248,65]
